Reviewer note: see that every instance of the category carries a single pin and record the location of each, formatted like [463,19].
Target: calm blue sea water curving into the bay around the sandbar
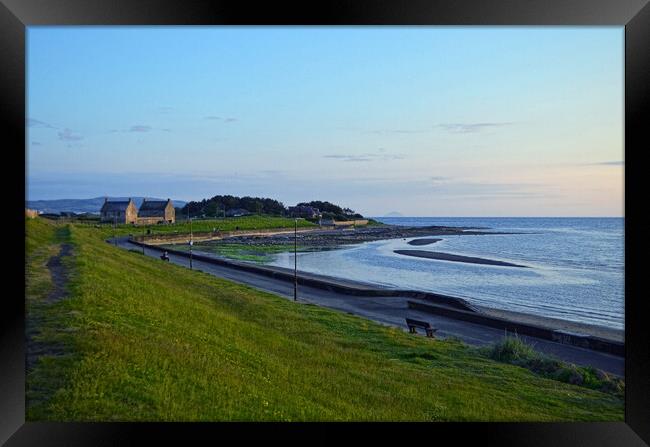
[577,265]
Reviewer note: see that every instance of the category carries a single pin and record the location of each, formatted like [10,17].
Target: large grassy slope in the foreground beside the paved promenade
[148,340]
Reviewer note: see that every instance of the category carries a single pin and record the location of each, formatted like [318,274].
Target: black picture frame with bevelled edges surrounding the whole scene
[16,15]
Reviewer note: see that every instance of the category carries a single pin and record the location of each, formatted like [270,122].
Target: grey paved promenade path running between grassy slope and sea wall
[392,311]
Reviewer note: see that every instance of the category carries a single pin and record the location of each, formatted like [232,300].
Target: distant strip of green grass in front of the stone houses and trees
[203,225]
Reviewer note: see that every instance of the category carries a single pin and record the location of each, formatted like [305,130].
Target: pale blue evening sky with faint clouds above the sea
[422,121]
